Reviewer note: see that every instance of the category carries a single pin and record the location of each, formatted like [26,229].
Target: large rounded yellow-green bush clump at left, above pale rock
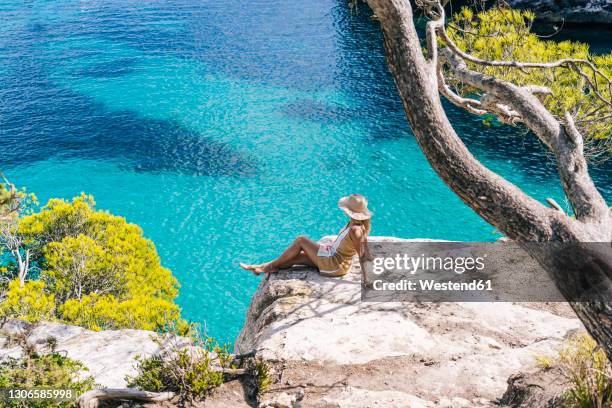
[91,269]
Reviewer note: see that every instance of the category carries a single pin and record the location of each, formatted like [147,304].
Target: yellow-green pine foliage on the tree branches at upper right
[505,34]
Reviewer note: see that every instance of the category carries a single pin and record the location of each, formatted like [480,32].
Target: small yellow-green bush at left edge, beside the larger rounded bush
[28,302]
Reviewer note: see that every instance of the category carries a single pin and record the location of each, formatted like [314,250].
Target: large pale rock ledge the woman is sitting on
[332,350]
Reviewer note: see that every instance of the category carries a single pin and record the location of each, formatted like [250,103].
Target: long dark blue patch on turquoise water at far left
[70,126]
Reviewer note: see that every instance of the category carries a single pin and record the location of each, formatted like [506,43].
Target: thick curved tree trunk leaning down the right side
[580,272]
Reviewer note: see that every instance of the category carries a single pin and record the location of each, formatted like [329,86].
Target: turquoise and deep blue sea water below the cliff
[226,128]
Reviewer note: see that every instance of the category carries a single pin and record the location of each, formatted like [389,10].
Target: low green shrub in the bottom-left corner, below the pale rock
[42,370]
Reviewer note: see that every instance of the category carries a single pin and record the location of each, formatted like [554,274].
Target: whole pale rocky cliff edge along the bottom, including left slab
[327,348]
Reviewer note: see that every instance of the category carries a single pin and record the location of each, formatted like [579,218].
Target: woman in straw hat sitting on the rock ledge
[331,259]
